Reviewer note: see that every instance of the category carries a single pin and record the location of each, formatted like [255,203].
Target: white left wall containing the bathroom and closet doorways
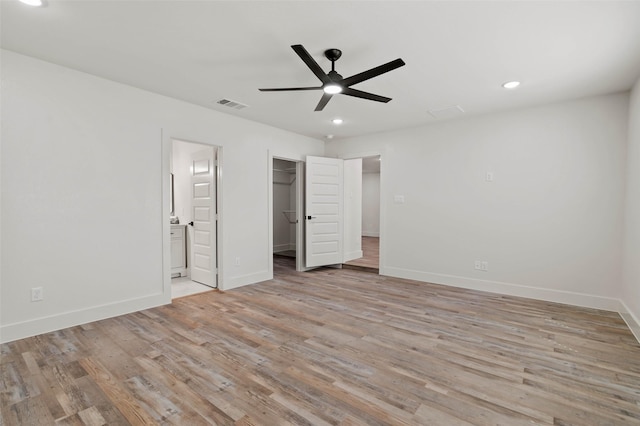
[84,161]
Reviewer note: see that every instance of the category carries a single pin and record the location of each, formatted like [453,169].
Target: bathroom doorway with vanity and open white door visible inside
[195,172]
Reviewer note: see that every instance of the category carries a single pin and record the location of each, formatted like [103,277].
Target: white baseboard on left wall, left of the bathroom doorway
[21,330]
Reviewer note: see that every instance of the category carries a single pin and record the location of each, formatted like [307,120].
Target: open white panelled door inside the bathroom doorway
[203,194]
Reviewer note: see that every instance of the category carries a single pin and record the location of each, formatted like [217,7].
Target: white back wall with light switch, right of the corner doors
[549,224]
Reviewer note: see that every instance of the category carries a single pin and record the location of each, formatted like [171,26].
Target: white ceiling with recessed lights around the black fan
[457,53]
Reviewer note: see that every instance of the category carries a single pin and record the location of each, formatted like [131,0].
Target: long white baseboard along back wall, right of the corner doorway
[549,295]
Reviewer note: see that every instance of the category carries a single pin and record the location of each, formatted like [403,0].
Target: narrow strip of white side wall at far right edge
[631,268]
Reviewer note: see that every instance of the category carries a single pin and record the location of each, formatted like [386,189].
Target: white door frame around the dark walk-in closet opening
[300,250]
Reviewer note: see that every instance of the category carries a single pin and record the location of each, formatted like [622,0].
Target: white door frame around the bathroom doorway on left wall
[166,156]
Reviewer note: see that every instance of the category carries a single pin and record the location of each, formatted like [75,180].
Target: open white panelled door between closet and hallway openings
[324,211]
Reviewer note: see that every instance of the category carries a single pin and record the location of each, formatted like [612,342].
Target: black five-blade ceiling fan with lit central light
[333,83]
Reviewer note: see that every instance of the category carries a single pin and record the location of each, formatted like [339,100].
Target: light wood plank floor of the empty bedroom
[332,346]
